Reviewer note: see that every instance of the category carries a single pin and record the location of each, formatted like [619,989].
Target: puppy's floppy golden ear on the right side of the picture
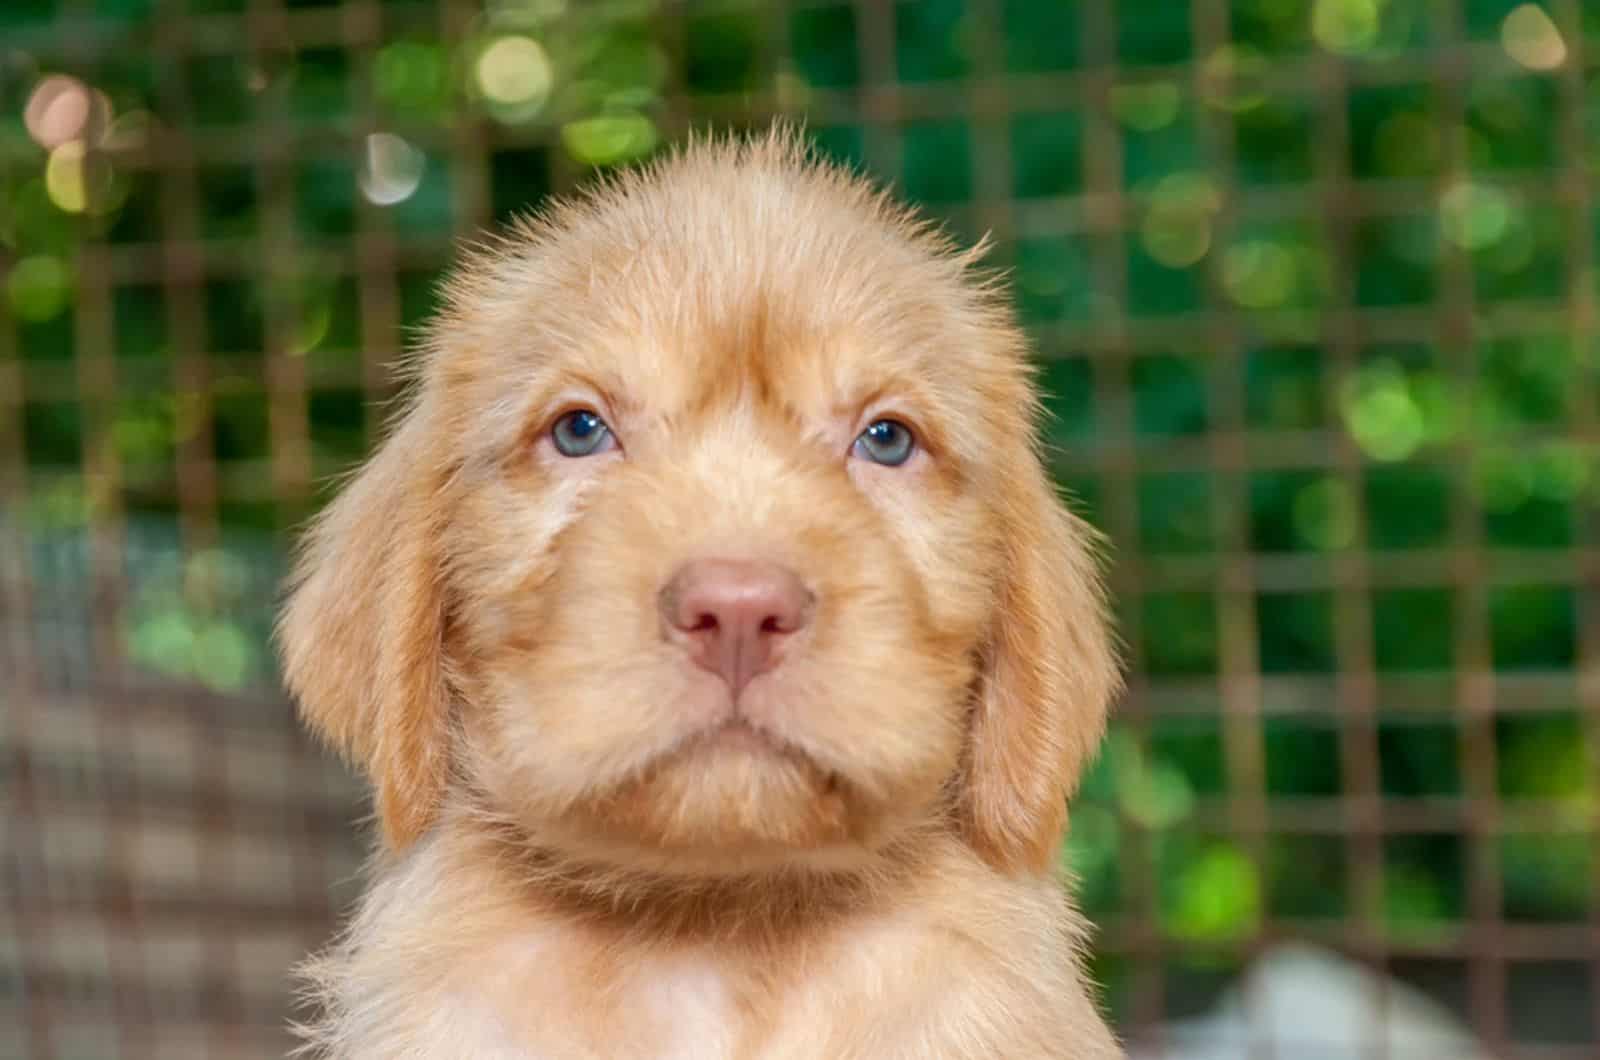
[1049,680]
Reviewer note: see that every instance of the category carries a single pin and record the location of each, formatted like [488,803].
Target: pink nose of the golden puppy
[735,616]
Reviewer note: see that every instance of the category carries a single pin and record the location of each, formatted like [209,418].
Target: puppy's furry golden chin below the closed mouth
[729,803]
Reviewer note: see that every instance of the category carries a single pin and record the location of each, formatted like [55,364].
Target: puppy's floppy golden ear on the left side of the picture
[362,635]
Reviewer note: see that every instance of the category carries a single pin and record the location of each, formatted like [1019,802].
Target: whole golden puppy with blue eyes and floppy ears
[716,644]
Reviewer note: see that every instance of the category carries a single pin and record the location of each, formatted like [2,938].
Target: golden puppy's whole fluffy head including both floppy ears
[714,537]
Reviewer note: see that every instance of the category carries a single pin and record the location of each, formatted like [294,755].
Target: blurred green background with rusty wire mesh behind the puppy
[1314,287]
